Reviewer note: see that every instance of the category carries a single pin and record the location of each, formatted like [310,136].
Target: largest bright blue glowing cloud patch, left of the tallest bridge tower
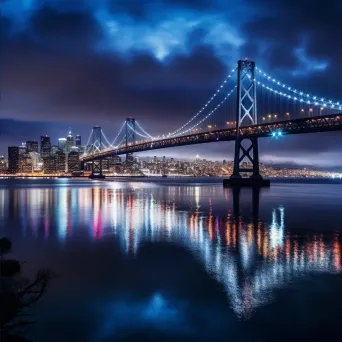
[168,35]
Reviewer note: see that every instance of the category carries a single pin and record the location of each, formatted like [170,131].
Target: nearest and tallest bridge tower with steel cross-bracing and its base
[246,114]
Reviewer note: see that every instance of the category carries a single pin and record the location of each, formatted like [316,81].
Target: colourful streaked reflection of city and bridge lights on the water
[248,256]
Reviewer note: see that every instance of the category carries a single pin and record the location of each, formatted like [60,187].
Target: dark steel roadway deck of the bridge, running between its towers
[316,124]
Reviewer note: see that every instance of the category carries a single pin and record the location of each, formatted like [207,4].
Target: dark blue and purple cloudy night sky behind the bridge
[79,63]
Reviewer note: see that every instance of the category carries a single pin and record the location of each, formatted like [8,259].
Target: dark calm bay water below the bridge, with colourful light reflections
[179,262]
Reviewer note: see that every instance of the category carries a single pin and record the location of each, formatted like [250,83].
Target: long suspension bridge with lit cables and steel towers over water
[248,105]
